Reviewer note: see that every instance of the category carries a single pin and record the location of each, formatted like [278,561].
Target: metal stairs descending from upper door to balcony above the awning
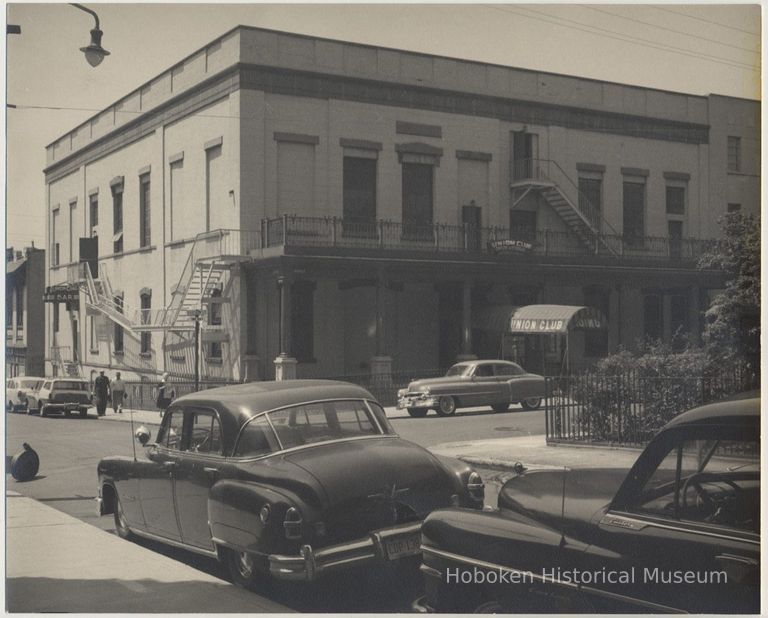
[582,217]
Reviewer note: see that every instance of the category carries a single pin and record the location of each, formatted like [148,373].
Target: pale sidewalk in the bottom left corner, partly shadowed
[56,563]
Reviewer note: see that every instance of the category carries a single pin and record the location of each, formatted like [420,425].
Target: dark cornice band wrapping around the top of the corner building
[325,86]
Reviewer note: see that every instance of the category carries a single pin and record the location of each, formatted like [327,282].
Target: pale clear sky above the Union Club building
[700,49]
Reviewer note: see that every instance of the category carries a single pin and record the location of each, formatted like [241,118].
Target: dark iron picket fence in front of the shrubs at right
[630,408]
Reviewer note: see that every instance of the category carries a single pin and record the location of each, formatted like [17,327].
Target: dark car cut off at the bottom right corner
[679,533]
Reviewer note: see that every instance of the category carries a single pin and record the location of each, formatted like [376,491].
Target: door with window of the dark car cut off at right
[690,535]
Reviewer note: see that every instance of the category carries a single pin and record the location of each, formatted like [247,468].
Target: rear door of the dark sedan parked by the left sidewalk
[200,465]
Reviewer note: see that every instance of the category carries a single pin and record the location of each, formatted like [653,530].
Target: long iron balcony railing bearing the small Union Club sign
[294,231]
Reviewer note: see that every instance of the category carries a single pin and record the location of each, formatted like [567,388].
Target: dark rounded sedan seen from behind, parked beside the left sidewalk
[291,479]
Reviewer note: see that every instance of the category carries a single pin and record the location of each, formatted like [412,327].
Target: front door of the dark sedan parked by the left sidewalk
[156,485]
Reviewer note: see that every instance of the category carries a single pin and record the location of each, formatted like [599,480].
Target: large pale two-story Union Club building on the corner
[328,209]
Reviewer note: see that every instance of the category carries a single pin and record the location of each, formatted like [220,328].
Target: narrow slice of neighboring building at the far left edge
[24,313]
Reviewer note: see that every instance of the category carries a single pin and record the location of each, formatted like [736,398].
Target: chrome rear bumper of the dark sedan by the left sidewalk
[310,564]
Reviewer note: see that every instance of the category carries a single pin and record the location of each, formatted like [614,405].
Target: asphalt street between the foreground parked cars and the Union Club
[70,448]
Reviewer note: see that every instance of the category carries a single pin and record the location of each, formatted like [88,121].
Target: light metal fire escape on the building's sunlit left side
[206,270]
